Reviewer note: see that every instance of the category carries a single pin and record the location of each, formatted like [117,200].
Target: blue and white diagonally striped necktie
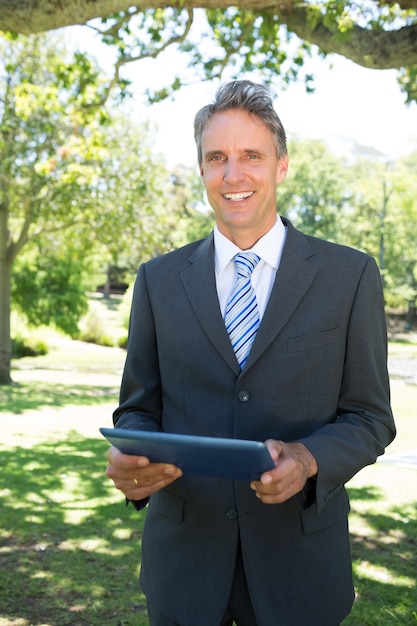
[242,315]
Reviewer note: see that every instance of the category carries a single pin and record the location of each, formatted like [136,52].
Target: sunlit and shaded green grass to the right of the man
[383,525]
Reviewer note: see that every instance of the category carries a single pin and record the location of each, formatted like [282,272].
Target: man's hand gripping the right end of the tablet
[294,464]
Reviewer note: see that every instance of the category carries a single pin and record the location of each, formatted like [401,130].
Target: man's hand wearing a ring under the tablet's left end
[136,476]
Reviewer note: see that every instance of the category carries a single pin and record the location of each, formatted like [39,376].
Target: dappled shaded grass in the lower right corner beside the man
[384,553]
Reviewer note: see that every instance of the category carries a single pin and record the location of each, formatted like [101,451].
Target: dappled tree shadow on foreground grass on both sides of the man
[70,550]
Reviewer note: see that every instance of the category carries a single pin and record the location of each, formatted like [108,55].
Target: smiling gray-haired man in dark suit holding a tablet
[313,383]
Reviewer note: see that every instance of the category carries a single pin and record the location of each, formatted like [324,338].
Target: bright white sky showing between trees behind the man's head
[351,105]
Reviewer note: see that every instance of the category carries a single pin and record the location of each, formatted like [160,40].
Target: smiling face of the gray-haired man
[240,170]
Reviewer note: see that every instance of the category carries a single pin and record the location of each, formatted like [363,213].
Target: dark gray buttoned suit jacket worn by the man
[316,374]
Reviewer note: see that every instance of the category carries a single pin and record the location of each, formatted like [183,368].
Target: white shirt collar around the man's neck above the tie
[268,247]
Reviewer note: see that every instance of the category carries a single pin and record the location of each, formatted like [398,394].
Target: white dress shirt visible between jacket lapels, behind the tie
[268,248]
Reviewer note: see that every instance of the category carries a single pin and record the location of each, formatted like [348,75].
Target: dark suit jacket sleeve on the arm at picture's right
[364,425]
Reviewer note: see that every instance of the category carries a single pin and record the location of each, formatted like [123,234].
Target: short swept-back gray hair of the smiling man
[245,96]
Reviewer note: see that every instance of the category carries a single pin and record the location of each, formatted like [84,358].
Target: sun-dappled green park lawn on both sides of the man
[70,549]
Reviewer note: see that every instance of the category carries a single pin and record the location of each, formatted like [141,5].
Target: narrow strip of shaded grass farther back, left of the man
[35,395]
